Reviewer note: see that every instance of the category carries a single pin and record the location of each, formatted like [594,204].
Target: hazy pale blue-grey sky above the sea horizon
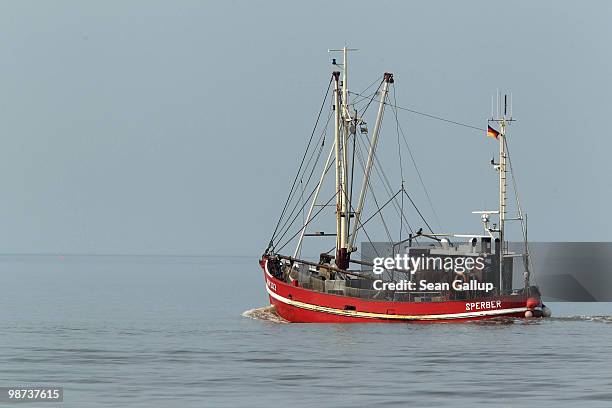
[176,126]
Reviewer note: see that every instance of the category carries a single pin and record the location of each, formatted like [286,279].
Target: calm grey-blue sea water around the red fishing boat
[181,332]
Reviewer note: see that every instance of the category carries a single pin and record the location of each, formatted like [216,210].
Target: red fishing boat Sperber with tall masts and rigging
[415,275]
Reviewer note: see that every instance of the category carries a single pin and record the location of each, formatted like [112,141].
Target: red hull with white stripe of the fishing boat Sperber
[300,305]
